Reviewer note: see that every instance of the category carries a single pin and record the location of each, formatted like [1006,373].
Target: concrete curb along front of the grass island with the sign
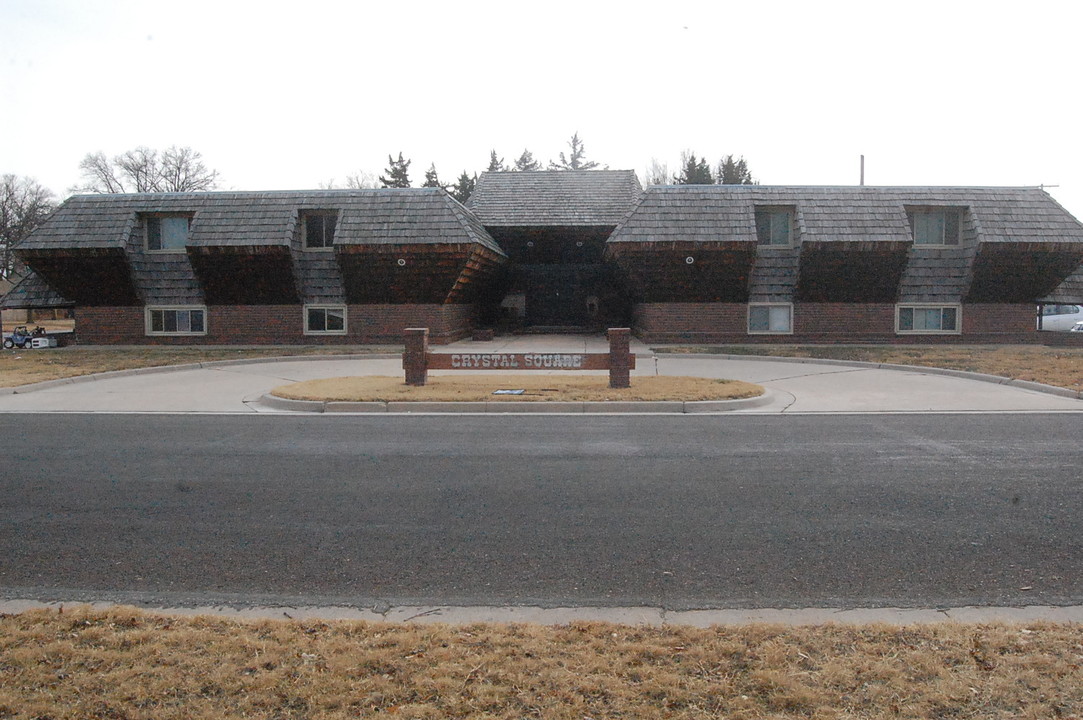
[521,408]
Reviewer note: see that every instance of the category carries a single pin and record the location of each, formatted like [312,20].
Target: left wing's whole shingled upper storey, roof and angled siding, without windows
[247,248]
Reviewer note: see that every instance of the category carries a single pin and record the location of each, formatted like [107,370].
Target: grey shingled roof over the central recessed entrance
[554,198]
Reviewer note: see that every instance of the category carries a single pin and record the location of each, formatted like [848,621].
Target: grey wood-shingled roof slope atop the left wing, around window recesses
[424,216]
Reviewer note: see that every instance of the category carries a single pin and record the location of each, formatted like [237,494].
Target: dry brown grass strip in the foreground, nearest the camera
[125,664]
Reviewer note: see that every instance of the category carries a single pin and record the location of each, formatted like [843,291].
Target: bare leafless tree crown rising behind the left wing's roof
[147,171]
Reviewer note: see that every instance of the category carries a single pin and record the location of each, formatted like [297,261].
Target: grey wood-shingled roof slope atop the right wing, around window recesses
[863,214]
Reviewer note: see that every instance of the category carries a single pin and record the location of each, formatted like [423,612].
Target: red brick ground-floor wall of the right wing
[831,323]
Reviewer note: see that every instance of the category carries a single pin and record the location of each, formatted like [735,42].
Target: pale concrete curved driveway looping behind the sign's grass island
[793,386]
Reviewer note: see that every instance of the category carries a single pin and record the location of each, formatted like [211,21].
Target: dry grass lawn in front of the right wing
[1054,366]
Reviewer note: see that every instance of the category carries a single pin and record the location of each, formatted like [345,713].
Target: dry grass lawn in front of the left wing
[20,368]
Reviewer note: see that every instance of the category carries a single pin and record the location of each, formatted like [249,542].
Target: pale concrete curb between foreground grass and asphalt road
[635,617]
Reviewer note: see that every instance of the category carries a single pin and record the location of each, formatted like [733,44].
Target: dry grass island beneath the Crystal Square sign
[539,388]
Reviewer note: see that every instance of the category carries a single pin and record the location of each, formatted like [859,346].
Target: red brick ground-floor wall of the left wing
[256,325]
